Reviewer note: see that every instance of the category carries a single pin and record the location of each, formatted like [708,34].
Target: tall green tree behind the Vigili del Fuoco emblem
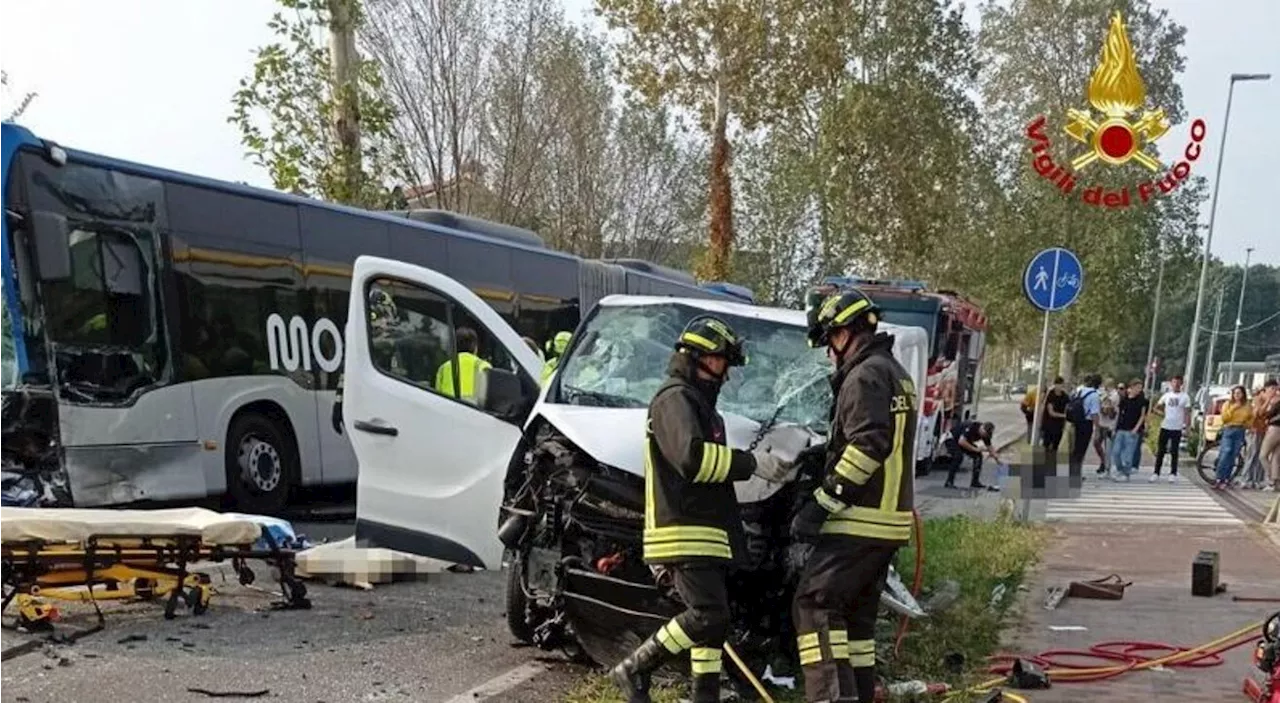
[1039,58]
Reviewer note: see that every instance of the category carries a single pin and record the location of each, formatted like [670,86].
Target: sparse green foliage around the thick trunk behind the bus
[292,112]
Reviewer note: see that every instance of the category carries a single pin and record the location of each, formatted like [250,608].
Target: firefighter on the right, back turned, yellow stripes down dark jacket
[862,513]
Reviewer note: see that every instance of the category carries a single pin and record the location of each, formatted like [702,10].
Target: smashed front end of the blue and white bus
[81,325]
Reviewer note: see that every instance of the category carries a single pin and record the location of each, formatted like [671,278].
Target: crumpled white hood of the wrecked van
[616,437]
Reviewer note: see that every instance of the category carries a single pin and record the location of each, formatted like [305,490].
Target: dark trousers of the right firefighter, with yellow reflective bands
[836,604]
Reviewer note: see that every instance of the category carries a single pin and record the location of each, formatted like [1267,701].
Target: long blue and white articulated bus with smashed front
[167,337]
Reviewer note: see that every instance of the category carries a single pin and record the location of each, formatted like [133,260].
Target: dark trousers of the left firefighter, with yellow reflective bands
[702,629]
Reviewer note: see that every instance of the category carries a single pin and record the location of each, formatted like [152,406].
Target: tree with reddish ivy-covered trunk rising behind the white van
[724,61]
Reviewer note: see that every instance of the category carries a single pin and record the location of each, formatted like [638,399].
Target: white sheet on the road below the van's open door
[344,563]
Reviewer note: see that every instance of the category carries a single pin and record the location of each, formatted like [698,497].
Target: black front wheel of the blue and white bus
[260,465]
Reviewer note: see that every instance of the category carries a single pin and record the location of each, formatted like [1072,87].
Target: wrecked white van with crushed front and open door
[554,478]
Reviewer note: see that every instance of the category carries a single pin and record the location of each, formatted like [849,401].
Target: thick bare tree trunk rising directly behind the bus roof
[346,121]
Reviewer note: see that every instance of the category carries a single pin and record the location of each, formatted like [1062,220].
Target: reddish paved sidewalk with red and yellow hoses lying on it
[1158,608]
